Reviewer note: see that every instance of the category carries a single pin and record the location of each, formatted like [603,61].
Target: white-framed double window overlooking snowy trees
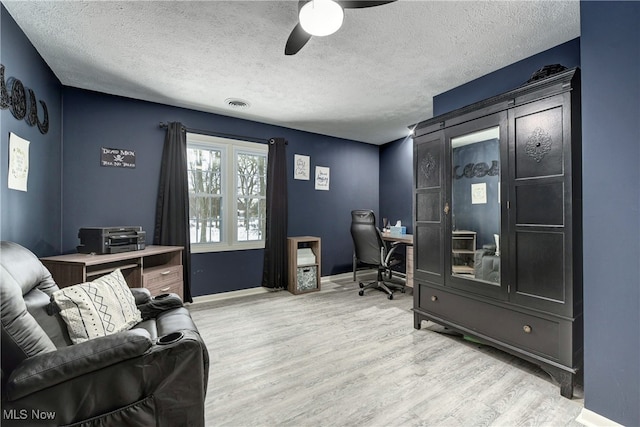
[227,193]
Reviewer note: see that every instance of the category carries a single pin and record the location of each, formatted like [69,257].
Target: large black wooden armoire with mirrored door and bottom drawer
[497,223]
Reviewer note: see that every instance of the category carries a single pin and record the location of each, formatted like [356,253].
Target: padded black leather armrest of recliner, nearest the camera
[48,369]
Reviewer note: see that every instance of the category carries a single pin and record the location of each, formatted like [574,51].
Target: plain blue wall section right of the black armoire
[611,207]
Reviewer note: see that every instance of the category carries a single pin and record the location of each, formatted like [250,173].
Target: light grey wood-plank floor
[333,358]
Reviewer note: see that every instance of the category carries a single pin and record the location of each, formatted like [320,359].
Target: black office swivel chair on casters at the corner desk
[372,251]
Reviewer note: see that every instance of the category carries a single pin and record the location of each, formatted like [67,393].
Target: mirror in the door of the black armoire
[475,209]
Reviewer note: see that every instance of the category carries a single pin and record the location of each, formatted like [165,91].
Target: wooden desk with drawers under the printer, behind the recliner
[157,268]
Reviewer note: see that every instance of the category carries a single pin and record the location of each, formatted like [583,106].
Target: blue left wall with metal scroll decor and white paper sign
[31,218]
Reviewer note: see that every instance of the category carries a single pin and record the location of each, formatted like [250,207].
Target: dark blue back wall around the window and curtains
[106,196]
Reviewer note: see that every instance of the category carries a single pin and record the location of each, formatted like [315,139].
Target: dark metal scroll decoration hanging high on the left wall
[22,102]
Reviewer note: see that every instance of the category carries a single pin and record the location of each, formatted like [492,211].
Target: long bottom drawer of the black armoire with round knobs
[532,333]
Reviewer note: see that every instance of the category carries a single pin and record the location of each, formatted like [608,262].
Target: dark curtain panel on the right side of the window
[274,273]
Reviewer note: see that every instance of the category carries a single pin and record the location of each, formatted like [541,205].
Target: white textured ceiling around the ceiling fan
[367,82]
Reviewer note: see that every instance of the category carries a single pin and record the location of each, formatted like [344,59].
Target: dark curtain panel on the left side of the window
[172,207]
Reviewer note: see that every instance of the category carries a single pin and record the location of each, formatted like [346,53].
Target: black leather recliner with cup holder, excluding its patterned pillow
[154,374]
